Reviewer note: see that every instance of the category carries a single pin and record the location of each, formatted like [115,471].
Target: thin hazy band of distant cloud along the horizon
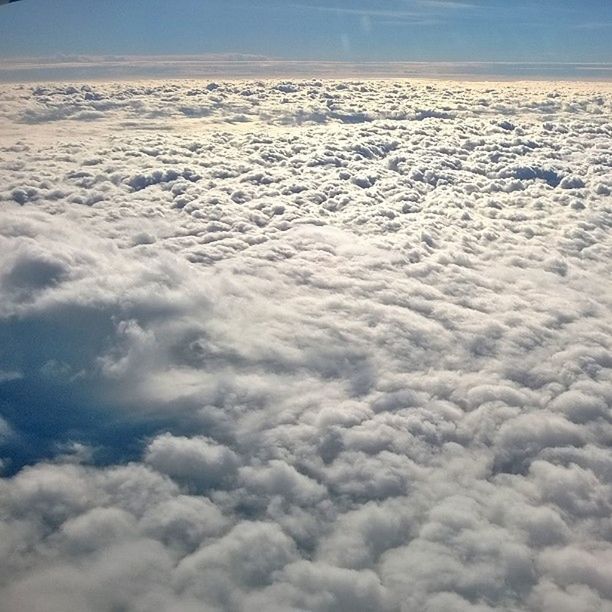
[243,66]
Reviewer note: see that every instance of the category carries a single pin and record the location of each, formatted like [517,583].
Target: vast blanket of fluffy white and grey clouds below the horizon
[308,345]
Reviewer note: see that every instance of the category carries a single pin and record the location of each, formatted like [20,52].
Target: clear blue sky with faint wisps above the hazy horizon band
[418,30]
